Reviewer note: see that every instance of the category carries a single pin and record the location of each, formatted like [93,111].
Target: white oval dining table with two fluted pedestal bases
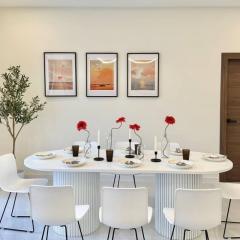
[86,183]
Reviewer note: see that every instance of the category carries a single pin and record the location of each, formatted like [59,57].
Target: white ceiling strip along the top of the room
[119,3]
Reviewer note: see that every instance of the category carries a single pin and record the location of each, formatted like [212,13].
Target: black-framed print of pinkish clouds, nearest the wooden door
[143,74]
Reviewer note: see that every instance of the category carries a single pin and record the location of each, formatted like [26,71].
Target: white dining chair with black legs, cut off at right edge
[230,191]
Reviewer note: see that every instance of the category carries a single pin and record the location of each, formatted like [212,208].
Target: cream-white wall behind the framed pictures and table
[190,42]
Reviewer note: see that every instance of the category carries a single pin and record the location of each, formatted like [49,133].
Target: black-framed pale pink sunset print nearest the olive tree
[60,74]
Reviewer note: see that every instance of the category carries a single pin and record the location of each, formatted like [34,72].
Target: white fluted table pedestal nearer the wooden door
[165,185]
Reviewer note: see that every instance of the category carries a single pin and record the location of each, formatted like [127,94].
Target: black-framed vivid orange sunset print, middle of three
[102,74]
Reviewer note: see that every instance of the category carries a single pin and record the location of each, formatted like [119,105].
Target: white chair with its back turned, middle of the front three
[125,208]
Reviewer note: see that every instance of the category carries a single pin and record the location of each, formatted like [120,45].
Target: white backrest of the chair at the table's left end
[8,170]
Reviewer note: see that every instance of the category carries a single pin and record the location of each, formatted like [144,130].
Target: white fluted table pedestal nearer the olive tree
[87,191]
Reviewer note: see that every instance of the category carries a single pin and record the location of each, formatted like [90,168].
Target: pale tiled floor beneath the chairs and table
[101,234]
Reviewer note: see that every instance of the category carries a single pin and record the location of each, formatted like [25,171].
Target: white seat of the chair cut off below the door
[230,190]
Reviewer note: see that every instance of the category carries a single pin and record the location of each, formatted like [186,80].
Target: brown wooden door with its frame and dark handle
[230,114]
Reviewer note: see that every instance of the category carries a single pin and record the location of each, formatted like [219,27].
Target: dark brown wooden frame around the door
[223,104]
